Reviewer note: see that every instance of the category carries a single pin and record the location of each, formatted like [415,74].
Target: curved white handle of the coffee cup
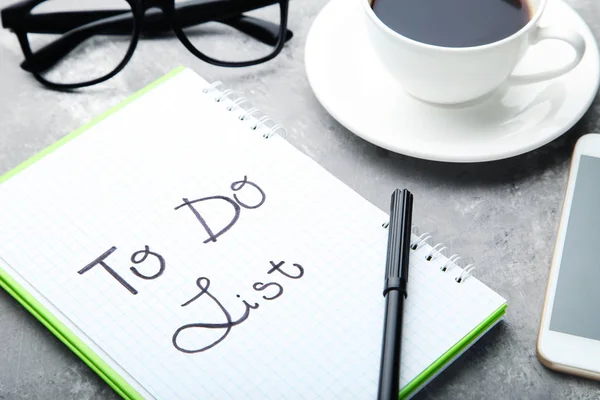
[566,35]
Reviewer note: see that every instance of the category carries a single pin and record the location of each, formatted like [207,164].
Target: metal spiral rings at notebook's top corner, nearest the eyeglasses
[236,104]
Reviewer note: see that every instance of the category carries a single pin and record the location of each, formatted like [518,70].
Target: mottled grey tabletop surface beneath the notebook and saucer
[503,215]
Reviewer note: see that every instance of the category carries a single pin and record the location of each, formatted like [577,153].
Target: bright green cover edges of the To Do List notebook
[98,365]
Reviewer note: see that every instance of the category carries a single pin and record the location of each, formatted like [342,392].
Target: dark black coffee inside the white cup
[454,23]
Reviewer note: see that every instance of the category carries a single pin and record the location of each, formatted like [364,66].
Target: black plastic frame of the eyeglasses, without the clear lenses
[16,17]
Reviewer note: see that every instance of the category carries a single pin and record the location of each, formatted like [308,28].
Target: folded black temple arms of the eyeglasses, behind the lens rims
[154,22]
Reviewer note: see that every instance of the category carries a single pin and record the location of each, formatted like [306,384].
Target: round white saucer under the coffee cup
[355,89]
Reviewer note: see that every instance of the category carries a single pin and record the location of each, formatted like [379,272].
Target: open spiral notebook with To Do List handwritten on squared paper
[183,249]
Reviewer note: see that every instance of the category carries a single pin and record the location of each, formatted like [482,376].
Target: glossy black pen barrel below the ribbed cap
[389,372]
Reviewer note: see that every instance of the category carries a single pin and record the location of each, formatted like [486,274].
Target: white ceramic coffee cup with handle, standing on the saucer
[451,75]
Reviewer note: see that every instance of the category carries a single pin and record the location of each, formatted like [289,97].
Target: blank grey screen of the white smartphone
[576,309]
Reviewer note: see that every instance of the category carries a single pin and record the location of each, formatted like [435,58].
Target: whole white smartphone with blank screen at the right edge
[569,334]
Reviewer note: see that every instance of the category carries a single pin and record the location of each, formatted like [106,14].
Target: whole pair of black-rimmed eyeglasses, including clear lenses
[67,46]
